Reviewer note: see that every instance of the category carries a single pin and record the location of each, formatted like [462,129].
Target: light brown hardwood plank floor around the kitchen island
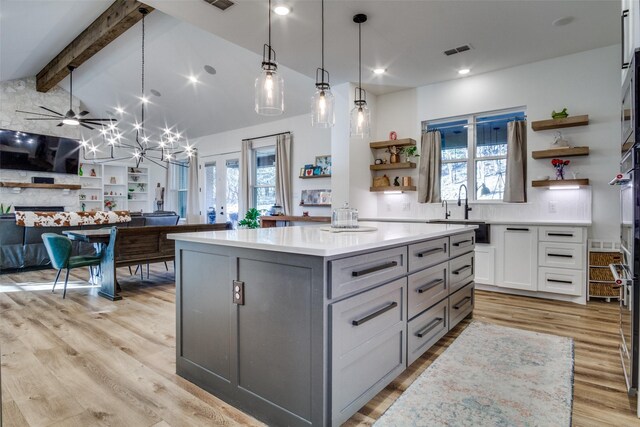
[86,361]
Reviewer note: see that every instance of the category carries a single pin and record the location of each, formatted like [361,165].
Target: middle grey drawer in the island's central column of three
[426,288]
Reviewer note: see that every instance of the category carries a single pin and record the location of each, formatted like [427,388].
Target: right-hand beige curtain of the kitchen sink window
[515,187]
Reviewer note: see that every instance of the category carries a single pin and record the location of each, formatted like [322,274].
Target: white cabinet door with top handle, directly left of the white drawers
[517,257]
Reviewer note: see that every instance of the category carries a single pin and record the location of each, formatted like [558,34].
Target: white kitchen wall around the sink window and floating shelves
[585,83]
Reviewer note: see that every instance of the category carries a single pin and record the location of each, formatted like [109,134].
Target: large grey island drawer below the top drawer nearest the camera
[360,317]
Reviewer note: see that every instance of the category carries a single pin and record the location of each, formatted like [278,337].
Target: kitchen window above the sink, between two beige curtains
[474,153]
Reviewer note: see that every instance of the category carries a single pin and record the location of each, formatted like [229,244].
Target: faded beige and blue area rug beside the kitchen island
[491,376]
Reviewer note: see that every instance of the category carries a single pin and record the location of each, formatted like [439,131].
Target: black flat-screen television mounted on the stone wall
[39,153]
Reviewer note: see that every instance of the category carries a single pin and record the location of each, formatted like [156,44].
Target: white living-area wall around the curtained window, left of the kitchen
[307,143]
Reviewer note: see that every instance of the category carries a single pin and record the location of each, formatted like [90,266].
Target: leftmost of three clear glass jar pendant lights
[269,88]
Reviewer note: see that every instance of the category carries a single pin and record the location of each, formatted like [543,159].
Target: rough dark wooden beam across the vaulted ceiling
[118,18]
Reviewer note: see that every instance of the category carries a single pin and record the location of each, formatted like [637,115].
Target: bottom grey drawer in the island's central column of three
[426,329]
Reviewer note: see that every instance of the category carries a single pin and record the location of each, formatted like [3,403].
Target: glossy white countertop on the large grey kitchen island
[312,240]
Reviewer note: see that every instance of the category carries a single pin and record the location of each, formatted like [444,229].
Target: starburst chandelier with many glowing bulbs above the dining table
[168,147]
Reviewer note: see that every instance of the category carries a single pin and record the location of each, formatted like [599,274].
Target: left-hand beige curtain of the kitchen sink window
[429,169]
